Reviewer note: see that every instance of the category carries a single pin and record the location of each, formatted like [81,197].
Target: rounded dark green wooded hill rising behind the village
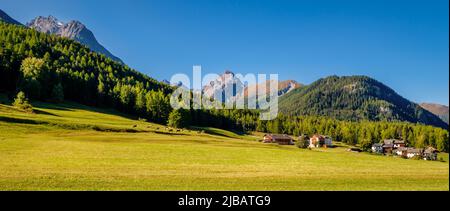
[355,98]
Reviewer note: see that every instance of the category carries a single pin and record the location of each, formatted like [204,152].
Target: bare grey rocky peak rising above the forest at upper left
[73,30]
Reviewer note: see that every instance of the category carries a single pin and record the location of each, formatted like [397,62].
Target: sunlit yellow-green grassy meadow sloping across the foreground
[57,149]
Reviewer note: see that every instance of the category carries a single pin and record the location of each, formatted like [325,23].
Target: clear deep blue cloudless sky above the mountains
[404,44]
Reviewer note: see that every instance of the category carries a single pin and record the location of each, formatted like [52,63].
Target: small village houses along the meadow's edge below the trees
[389,147]
